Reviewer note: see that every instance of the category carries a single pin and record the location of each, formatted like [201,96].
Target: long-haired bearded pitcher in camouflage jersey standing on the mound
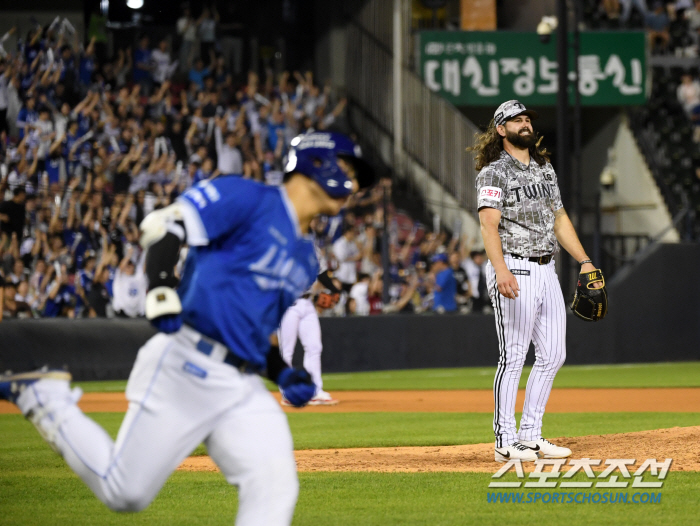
[522,223]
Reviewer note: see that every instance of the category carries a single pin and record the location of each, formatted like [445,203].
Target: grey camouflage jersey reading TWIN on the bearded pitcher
[527,197]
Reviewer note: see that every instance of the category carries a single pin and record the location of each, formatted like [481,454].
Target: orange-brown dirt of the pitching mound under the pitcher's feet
[682,444]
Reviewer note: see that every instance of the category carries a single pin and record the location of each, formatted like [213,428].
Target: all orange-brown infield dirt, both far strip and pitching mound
[682,444]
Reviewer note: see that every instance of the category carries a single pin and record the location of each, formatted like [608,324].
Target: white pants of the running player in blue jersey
[178,398]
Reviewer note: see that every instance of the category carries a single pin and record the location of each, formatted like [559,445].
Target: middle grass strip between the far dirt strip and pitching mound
[341,430]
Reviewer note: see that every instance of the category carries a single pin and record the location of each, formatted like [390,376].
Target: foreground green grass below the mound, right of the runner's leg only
[460,498]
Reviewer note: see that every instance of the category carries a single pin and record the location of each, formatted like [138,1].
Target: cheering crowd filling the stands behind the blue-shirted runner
[89,146]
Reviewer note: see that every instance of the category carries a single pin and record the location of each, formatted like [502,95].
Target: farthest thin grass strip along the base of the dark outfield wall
[668,374]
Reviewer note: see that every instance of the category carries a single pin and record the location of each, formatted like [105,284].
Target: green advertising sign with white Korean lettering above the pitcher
[485,68]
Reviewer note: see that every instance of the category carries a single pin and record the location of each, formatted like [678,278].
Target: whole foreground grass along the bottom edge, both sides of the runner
[54,496]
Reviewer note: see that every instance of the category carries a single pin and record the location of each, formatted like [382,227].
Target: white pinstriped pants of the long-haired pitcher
[537,315]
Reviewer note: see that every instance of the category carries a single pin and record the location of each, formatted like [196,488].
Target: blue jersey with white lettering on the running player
[248,262]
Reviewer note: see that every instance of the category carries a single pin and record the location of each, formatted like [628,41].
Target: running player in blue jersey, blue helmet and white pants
[249,258]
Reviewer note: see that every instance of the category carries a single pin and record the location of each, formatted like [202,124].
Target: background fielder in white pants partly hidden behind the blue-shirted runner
[301,321]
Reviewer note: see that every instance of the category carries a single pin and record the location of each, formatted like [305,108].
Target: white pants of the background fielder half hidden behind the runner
[301,321]
